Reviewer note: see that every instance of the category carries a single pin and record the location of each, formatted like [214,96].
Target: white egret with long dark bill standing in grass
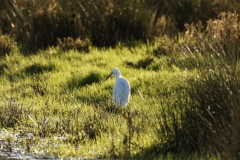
[121,90]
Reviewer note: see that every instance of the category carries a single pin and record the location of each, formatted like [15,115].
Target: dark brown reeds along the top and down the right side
[77,24]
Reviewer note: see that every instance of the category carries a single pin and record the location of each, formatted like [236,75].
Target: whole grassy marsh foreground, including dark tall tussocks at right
[184,101]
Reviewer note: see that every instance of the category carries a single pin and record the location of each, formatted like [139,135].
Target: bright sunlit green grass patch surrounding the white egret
[64,98]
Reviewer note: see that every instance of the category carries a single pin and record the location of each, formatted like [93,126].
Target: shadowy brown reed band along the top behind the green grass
[37,25]
